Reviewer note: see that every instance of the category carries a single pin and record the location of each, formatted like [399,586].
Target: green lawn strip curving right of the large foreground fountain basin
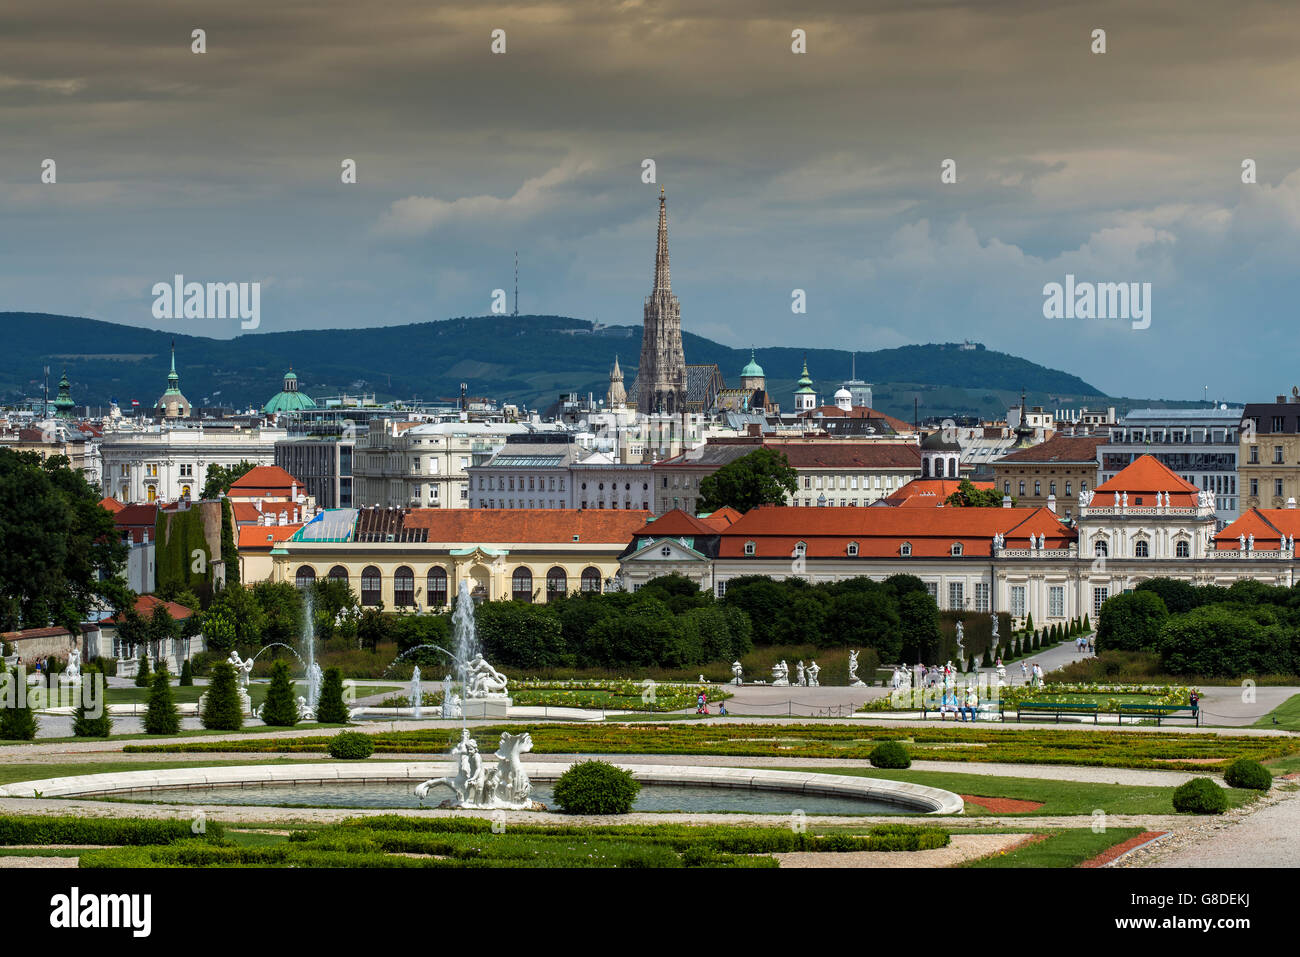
[1058,798]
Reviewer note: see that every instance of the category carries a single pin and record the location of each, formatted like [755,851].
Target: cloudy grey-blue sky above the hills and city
[817,171]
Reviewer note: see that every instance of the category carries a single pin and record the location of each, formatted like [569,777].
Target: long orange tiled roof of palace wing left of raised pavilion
[882,532]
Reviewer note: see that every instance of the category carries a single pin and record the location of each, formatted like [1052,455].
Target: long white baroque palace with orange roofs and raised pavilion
[1146,522]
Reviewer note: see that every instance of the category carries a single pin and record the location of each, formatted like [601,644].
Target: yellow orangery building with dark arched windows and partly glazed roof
[417,558]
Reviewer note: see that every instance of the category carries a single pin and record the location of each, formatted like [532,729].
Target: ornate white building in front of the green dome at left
[167,464]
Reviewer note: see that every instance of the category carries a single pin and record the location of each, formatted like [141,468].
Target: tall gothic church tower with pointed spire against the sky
[662,374]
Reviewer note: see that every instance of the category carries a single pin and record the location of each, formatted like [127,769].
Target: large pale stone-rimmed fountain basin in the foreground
[869,793]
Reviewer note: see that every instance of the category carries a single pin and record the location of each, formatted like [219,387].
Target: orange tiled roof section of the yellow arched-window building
[541,526]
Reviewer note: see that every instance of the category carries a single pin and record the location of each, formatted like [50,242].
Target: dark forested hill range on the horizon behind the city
[528,360]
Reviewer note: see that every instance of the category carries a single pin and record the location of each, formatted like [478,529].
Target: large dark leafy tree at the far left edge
[60,556]
